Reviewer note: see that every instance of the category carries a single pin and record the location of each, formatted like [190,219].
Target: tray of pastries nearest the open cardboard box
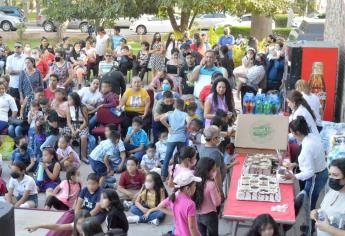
[260,164]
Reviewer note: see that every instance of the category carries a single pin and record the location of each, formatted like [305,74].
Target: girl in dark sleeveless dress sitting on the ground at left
[51,172]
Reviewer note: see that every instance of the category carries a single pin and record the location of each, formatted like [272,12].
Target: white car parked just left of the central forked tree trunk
[152,24]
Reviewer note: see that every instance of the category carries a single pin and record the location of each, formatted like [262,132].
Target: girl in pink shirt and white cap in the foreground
[181,204]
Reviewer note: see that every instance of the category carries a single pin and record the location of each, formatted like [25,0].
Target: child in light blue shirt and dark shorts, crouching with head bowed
[106,153]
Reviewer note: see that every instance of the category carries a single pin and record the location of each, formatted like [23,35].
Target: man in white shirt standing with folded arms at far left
[14,66]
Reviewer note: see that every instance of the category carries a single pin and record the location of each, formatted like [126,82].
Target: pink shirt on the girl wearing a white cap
[182,209]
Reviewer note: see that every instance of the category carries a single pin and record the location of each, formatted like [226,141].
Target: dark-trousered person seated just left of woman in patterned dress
[142,60]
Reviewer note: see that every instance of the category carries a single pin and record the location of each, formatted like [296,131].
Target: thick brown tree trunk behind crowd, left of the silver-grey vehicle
[261,26]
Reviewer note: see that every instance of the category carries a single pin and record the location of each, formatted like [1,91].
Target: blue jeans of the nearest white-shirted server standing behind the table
[313,187]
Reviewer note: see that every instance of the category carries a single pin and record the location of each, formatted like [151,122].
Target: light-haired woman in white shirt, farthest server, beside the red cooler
[313,101]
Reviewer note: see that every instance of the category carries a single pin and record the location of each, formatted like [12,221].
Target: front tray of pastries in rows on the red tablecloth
[254,187]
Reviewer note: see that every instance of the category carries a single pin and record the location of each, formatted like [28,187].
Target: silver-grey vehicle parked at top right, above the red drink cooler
[309,30]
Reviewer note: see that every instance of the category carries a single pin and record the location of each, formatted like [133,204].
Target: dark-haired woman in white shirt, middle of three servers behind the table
[300,107]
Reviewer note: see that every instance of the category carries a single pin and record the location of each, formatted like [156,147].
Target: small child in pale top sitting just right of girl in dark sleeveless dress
[67,156]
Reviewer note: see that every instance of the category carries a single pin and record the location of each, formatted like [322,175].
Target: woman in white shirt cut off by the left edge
[7,103]
